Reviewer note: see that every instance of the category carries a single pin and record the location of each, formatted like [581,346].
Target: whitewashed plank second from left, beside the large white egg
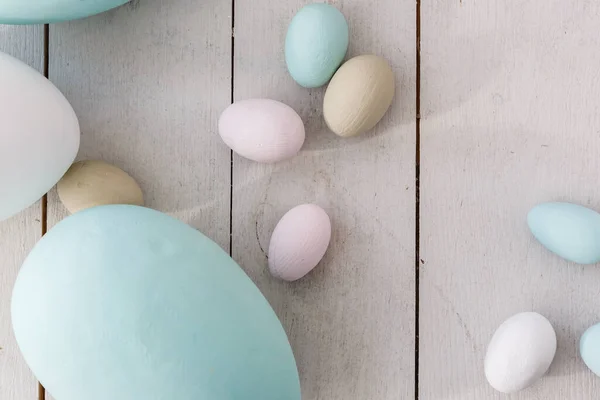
[148,82]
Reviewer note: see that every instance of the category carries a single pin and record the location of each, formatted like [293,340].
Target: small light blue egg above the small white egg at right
[569,230]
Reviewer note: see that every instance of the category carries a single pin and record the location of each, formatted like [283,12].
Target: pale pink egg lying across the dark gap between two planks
[262,130]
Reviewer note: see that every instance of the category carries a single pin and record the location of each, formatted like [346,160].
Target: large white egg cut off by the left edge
[39,138]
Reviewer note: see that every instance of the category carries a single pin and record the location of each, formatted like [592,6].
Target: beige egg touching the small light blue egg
[359,95]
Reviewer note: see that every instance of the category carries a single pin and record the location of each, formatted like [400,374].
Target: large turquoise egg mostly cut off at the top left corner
[48,11]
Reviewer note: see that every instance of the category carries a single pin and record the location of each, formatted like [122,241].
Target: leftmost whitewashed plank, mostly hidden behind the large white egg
[17,236]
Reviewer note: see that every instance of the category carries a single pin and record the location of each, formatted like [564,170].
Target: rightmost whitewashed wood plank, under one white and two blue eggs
[510,119]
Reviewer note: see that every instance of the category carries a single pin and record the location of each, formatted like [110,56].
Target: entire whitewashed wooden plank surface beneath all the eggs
[509,118]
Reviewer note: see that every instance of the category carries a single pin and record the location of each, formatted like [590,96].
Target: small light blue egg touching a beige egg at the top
[315,44]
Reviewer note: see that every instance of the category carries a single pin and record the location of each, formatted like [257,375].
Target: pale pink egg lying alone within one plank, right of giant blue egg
[299,242]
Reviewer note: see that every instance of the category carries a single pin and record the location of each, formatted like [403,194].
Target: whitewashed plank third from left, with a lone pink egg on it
[351,321]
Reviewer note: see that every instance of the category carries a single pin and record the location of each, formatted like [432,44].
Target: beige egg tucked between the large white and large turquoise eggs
[94,183]
